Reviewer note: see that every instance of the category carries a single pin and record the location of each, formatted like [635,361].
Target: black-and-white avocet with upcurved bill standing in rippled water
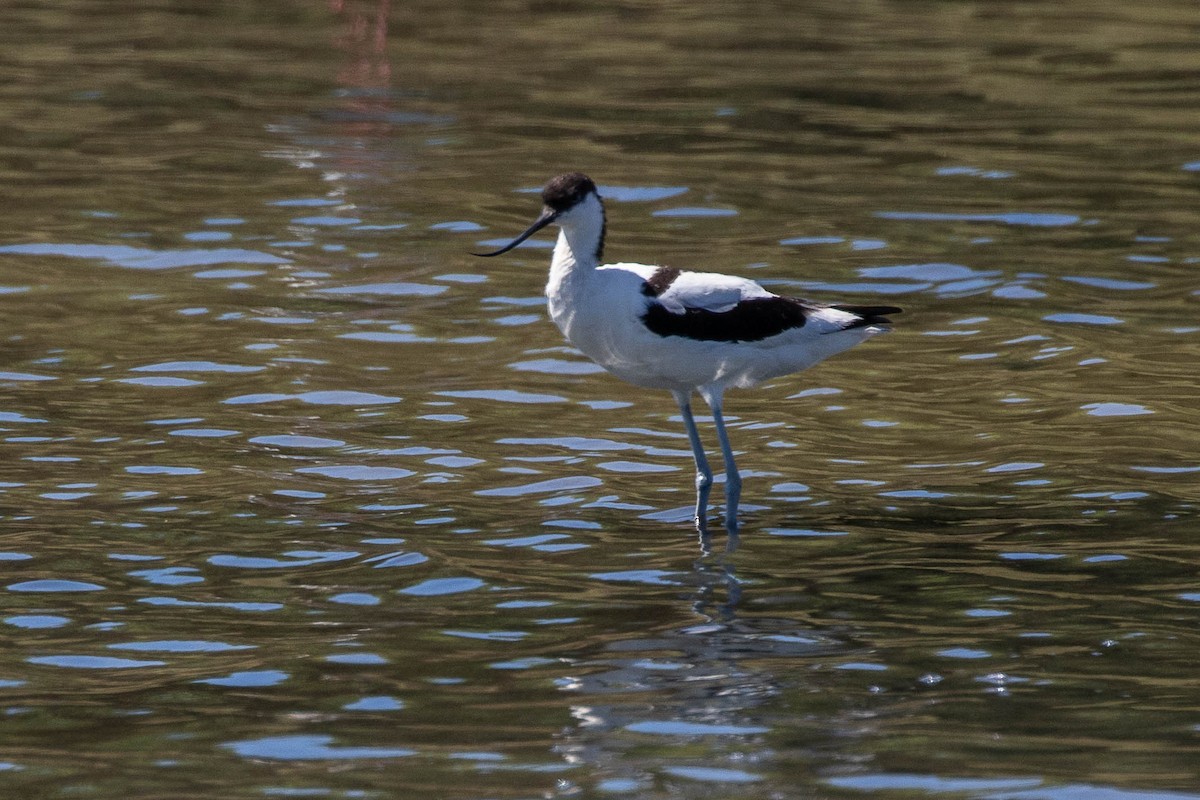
[686,333]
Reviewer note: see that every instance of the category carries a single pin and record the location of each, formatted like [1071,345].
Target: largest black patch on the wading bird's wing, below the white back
[751,321]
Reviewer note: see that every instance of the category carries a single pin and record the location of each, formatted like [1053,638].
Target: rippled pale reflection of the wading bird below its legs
[692,697]
